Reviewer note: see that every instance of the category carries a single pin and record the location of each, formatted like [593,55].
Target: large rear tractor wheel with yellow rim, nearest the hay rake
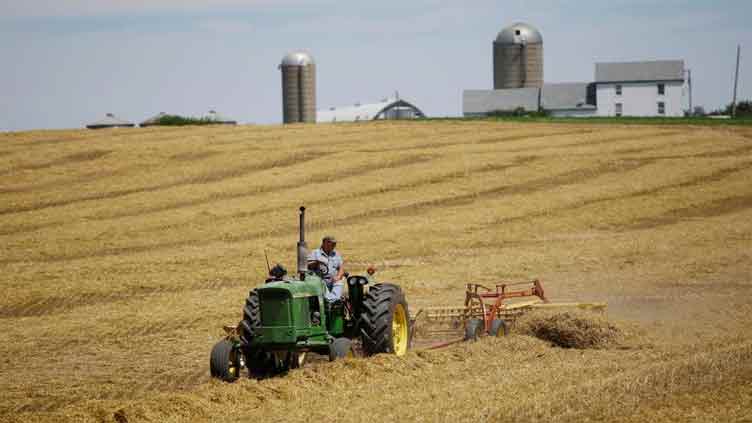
[380,305]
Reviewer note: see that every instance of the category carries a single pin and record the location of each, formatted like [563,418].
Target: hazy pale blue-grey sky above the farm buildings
[67,62]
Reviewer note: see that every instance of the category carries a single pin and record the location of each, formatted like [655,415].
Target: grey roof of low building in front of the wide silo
[486,101]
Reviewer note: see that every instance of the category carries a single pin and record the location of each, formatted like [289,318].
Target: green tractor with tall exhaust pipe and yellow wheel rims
[287,318]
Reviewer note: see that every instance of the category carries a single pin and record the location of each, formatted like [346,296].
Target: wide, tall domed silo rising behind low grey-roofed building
[518,57]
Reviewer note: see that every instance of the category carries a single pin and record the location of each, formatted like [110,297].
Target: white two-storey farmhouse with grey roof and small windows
[653,88]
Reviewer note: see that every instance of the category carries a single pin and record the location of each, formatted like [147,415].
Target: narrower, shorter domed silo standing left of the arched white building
[298,88]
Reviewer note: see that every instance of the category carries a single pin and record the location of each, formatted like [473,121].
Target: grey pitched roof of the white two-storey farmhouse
[660,70]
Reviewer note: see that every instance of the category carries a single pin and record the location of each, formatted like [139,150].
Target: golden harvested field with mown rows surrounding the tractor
[124,252]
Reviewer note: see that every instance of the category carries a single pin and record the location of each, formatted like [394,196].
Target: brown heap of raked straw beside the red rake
[580,330]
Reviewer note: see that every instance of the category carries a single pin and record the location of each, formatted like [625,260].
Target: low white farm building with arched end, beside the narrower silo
[388,108]
